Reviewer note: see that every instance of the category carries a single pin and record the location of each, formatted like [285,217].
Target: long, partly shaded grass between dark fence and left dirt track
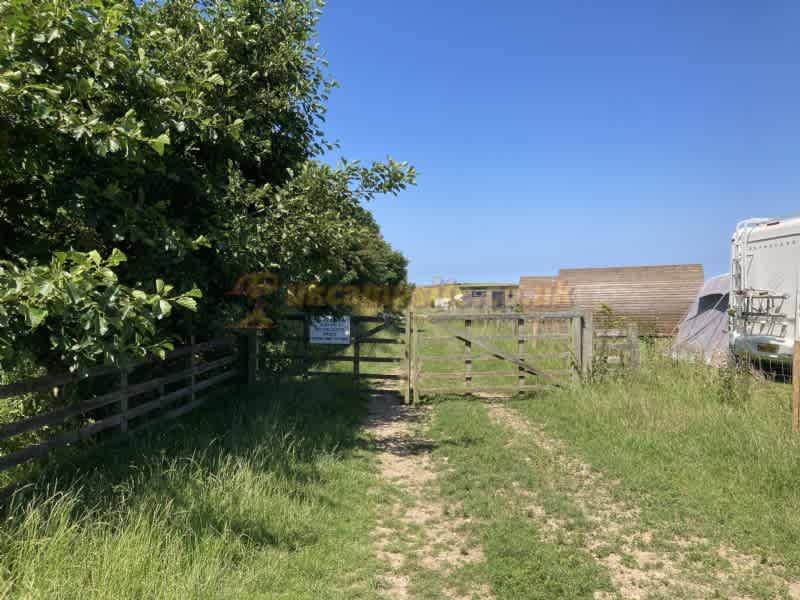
[262,494]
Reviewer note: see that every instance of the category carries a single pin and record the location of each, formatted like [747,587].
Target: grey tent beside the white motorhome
[703,333]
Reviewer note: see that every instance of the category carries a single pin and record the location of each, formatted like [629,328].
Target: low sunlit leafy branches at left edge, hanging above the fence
[76,311]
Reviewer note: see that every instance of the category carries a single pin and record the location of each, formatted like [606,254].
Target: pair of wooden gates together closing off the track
[450,353]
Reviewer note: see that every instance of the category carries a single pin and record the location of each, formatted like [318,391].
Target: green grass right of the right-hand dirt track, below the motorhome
[701,451]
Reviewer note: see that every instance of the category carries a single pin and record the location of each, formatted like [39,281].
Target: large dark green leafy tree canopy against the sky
[185,134]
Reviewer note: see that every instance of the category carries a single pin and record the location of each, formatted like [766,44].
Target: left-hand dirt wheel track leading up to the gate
[418,531]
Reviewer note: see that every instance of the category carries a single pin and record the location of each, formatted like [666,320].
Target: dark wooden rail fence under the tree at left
[185,379]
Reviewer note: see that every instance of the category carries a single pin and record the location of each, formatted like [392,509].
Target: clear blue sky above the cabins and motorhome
[568,134]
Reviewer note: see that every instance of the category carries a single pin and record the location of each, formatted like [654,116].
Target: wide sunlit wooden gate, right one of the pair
[451,353]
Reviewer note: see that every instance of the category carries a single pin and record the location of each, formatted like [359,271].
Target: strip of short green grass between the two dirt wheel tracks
[483,474]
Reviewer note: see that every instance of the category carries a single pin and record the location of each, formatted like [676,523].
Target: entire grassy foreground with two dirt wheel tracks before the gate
[675,481]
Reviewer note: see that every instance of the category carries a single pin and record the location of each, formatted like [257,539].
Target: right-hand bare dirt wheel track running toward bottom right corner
[618,540]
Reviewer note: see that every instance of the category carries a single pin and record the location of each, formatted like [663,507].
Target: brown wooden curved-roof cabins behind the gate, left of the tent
[656,298]
